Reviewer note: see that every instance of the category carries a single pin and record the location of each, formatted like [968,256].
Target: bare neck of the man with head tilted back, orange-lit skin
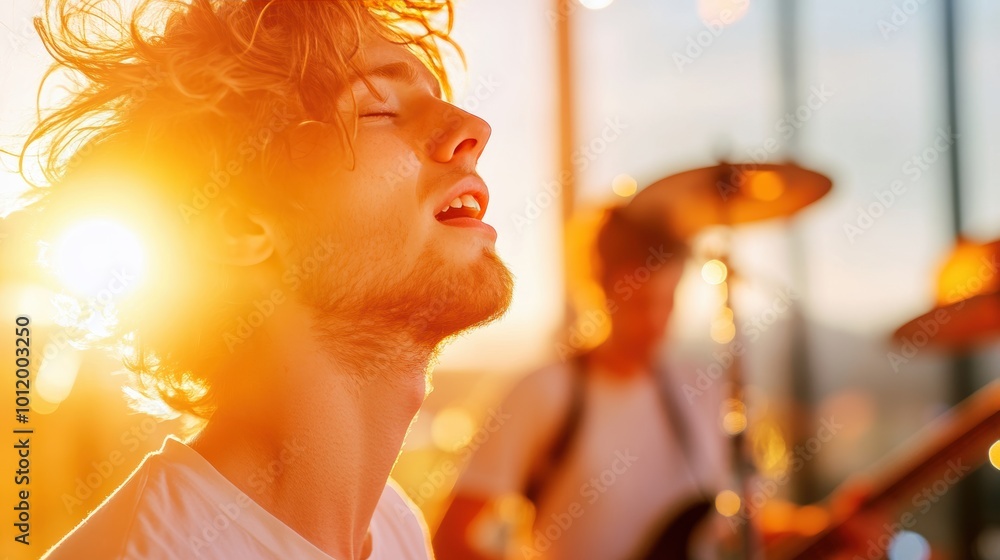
[310,429]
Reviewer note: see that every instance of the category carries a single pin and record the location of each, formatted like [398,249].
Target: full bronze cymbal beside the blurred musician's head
[727,194]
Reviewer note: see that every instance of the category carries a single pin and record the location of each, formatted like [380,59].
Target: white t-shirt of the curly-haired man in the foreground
[176,506]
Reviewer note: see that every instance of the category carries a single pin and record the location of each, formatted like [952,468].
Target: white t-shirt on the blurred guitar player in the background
[624,474]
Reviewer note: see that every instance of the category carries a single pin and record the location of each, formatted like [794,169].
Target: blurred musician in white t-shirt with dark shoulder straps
[615,461]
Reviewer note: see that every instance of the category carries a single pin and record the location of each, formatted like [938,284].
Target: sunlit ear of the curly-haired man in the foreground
[238,236]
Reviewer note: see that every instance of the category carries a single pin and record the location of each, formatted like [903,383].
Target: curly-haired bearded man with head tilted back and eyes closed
[298,165]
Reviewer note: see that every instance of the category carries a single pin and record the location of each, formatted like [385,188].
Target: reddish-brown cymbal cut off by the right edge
[964,324]
